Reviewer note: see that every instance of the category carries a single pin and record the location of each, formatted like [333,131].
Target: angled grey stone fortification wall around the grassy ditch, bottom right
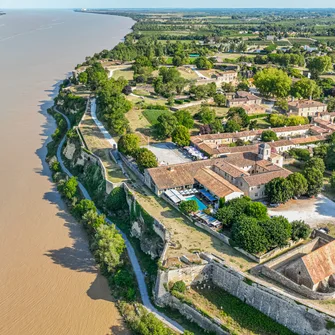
[279,306]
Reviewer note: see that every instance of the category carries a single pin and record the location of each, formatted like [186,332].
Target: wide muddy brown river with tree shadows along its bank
[48,281]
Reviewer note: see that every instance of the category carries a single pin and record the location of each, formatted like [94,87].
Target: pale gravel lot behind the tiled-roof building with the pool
[168,153]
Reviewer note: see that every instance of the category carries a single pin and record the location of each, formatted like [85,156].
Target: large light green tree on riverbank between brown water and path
[108,246]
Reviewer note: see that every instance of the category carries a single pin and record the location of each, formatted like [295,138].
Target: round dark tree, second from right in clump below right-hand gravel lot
[277,230]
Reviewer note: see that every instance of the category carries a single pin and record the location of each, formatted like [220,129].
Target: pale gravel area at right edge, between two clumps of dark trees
[314,212]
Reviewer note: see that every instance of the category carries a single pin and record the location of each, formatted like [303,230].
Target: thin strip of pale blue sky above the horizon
[160,3]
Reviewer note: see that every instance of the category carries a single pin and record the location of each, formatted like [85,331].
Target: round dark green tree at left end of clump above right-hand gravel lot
[278,190]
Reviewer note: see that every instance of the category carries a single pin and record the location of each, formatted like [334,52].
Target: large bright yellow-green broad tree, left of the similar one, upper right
[273,82]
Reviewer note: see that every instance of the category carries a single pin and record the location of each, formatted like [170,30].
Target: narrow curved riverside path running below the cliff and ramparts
[131,253]
